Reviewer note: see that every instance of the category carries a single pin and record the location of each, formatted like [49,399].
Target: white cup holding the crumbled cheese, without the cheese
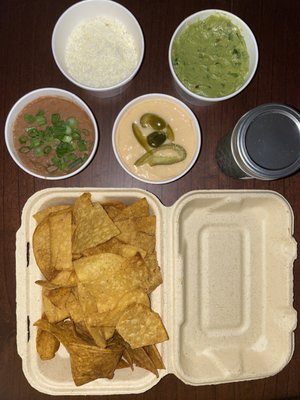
[85,10]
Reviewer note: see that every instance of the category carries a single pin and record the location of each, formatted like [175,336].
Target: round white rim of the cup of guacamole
[232,17]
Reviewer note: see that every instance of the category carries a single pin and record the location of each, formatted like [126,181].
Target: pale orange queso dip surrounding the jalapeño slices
[185,137]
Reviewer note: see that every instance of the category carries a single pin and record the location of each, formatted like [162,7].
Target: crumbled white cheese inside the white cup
[100,52]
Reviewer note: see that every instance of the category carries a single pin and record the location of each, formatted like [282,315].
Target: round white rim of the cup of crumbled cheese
[82,85]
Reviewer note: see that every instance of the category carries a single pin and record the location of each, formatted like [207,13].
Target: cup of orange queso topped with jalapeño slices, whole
[156,138]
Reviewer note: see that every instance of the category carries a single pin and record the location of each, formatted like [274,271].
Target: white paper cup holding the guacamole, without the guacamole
[251,47]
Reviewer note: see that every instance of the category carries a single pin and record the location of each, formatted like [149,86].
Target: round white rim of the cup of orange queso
[170,98]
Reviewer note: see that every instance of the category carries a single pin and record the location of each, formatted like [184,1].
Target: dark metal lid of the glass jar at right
[265,142]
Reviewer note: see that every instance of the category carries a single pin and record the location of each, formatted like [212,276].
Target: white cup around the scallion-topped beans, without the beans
[28,98]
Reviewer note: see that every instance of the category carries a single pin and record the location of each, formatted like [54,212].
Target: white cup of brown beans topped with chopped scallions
[51,134]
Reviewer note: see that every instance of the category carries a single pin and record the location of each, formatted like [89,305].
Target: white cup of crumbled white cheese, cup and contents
[98,45]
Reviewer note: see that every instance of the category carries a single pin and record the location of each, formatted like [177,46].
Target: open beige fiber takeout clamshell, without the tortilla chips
[226,300]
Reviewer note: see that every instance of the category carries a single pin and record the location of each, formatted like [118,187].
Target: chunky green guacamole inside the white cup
[210,57]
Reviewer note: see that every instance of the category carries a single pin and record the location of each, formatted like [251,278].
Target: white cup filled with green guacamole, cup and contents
[213,56]
